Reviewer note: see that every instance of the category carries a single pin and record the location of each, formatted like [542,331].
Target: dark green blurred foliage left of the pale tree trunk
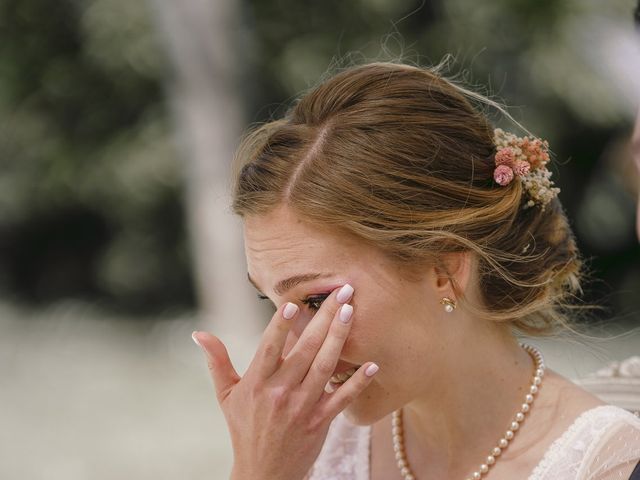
[90,190]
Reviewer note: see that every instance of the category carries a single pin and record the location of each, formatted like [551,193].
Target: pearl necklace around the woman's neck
[398,435]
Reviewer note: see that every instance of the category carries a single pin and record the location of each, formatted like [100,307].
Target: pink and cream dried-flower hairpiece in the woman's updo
[525,158]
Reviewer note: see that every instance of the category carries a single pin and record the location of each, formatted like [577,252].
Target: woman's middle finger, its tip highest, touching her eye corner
[297,363]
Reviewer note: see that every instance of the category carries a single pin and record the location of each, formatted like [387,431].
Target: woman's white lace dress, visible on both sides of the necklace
[603,443]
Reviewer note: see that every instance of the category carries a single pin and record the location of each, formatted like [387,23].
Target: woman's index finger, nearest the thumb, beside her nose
[269,354]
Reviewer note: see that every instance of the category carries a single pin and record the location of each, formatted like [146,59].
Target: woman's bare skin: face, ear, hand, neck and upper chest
[421,351]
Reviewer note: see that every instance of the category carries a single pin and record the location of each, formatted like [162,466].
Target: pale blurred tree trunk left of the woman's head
[208,114]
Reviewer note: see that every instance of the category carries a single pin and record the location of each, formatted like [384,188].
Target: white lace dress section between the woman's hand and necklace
[344,454]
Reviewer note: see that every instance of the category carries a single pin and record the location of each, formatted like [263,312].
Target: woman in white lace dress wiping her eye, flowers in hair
[403,241]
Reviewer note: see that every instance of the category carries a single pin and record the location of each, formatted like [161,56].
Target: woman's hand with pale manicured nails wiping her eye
[278,413]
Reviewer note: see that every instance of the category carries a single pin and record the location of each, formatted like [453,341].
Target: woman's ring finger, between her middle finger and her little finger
[326,360]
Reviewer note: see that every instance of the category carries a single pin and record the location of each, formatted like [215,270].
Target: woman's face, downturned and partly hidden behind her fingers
[395,321]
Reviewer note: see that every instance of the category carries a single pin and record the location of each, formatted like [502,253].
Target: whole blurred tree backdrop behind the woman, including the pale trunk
[85,141]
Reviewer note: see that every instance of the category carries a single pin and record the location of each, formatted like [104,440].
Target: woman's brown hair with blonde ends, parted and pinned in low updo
[400,157]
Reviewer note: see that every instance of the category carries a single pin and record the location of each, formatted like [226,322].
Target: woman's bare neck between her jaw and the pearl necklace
[459,422]
